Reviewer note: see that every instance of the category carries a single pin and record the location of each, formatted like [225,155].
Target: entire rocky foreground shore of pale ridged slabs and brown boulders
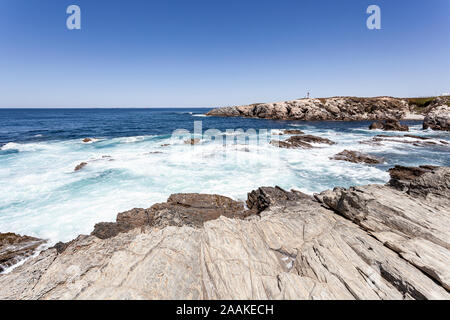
[365,242]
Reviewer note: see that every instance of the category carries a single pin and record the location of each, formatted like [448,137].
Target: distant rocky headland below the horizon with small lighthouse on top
[435,110]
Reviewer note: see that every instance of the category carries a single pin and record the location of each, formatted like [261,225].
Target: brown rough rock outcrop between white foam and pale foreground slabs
[180,209]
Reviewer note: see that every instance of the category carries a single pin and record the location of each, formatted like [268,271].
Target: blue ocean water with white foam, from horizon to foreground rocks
[133,161]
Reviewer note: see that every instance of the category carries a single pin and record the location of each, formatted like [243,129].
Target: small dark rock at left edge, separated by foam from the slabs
[14,248]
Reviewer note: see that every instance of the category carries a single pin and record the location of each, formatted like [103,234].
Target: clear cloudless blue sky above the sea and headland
[142,53]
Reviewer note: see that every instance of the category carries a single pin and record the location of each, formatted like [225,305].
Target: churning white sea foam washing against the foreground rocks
[42,196]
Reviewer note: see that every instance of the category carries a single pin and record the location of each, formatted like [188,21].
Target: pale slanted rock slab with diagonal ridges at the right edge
[413,223]
